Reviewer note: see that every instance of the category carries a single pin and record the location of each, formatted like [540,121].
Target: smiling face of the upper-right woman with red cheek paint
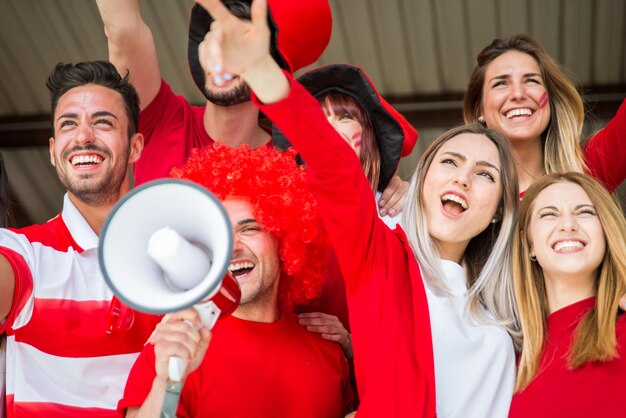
[514,97]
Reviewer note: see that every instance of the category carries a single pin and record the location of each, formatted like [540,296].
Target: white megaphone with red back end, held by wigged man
[166,246]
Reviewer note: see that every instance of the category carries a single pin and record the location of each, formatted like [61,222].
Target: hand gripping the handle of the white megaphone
[181,335]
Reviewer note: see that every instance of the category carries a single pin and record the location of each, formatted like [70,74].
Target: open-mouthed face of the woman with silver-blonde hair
[461,193]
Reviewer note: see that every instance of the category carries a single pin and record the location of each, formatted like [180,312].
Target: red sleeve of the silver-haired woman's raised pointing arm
[336,178]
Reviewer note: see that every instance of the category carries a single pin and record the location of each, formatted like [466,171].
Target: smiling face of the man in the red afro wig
[255,263]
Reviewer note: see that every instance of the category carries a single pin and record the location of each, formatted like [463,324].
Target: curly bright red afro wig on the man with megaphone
[276,188]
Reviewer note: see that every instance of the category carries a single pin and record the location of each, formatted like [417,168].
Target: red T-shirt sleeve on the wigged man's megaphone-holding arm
[139,381]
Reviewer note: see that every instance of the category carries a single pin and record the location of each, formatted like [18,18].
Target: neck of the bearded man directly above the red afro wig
[235,125]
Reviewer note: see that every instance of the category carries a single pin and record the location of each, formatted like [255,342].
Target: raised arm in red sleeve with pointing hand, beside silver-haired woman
[336,178]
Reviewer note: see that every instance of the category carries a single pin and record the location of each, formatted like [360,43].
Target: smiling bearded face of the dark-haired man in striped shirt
[91,150]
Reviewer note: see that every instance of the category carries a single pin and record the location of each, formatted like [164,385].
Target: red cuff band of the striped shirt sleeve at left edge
[23,286]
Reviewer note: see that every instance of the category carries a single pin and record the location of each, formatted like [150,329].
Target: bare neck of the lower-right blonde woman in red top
[566,290]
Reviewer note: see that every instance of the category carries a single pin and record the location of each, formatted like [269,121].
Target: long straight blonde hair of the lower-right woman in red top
[594,338]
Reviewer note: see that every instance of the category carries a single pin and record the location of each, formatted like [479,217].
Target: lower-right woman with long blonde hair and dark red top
[569,256]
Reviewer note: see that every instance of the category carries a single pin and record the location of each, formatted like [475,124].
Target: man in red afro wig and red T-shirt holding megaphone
[260,362]
